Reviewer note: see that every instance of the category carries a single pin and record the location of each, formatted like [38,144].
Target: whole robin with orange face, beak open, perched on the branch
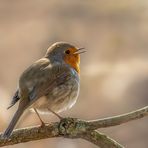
[51,84]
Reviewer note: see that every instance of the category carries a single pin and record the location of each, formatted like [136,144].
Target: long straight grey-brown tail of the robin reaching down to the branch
[12,124]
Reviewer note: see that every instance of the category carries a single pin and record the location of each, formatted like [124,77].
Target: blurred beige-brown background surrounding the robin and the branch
[114,71]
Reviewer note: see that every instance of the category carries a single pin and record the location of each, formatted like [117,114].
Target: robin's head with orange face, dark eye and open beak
[65,53]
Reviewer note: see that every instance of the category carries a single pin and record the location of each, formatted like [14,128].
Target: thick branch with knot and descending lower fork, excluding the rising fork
[67,127]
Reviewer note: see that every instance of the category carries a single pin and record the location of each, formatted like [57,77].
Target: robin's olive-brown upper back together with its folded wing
[42,77]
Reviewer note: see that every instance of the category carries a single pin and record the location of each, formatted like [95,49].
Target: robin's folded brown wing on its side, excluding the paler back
[56,75]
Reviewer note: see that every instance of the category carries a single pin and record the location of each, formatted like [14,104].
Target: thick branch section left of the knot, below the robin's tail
[30,133]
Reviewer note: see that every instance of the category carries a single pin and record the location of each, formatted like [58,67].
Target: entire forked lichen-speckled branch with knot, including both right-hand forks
[74,128]
